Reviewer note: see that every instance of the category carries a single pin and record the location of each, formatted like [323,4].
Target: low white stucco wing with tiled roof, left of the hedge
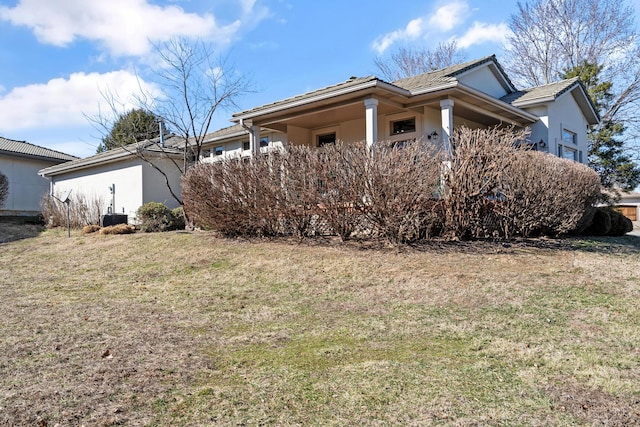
[119,180]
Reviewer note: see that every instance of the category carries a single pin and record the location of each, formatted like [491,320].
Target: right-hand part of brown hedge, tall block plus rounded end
[497,188]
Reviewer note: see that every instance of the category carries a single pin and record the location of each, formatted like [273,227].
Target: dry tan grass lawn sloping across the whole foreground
[187,329]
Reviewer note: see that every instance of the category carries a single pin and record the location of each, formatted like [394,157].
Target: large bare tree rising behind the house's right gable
[550,37]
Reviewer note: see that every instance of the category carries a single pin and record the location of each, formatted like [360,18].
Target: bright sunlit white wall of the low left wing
[94,184]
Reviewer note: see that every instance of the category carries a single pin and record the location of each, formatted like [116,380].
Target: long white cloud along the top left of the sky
[123,27]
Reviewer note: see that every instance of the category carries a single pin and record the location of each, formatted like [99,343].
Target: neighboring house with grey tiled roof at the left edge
[20,161]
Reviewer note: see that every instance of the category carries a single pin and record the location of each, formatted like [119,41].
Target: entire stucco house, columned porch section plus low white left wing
[429,106]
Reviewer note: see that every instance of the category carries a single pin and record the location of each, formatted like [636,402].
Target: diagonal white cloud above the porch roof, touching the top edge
[444,18]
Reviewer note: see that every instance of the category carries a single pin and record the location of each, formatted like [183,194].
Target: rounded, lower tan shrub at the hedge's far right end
[547,195]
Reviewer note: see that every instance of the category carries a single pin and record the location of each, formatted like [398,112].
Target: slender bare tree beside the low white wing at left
[195,84]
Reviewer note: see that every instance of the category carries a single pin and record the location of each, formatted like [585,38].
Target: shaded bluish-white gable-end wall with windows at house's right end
[565,113]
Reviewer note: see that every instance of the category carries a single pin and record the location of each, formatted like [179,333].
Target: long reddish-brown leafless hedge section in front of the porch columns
[306,191]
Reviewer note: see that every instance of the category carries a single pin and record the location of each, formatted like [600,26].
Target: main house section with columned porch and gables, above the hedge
[475,94]
